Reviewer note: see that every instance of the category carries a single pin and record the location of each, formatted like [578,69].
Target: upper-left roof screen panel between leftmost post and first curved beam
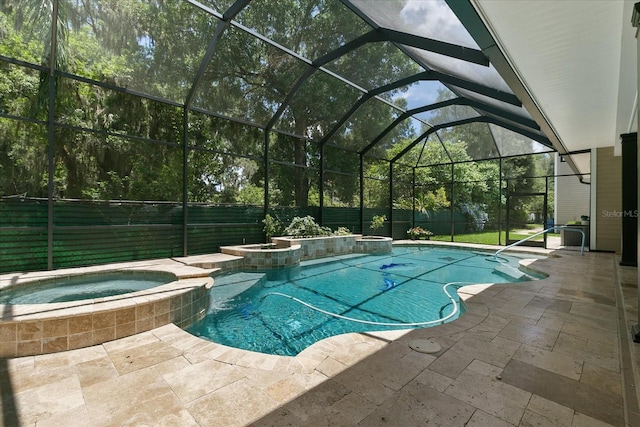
[151,47]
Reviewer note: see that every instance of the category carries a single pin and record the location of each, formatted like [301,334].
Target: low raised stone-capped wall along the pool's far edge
[289,251]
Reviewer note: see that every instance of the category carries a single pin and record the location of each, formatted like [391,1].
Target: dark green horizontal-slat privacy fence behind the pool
[81,232]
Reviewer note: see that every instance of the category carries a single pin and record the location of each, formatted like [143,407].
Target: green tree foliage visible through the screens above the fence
[112,144]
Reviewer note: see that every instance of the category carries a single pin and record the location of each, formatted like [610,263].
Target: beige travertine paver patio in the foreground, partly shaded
[545,353]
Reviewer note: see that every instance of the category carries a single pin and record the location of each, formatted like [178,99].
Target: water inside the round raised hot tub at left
[82,287]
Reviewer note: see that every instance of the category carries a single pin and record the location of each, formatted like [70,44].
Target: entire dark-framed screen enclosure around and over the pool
[144,129]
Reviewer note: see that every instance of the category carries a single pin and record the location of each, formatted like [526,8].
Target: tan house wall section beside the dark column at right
[608,194]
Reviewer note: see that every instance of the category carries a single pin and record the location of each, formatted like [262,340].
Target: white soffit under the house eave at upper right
[568,55]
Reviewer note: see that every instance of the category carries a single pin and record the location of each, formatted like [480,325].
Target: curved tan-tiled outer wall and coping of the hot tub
[33,329]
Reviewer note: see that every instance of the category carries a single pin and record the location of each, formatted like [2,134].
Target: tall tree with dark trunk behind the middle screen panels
[307,27]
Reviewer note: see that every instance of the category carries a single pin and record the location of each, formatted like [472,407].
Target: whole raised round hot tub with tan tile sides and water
[85,307]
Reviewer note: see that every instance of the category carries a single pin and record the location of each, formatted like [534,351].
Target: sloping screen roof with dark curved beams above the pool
[378,78]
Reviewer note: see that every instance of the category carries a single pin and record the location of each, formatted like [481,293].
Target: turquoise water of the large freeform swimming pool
[253,311]
